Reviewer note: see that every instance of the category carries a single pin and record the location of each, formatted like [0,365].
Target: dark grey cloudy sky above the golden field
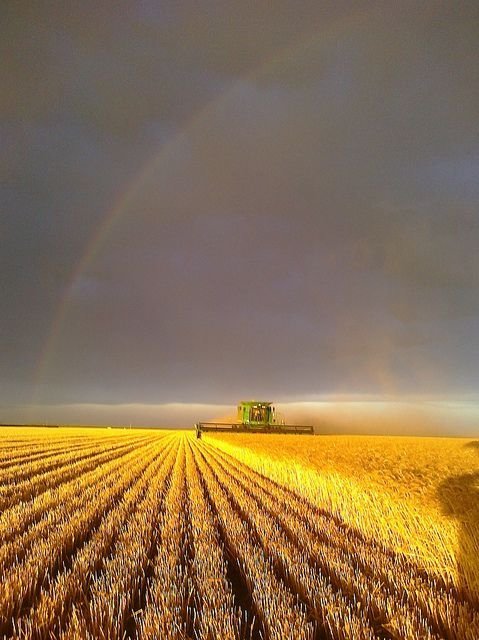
[206,201]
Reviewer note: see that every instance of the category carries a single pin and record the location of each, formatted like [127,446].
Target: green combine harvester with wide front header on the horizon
[254,417]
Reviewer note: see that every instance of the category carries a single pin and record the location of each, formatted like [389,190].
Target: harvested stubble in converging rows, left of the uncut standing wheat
[170,538]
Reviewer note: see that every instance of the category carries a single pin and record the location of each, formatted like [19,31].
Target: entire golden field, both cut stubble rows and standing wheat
[145,534]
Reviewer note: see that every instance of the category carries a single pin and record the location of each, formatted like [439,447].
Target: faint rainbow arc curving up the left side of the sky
[305,45]
